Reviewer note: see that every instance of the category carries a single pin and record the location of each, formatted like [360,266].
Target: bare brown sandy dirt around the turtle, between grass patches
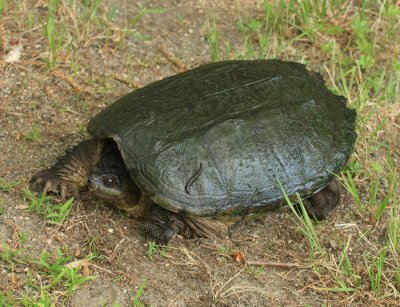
[199,272]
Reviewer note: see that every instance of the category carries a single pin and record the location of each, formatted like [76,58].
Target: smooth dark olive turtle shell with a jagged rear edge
[225,138]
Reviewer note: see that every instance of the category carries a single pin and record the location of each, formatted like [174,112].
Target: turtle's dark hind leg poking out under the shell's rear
[321,204]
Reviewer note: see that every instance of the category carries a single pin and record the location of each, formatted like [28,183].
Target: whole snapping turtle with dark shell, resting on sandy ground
[197,150]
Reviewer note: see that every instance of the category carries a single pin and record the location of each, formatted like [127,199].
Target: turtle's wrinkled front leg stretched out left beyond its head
[71,172]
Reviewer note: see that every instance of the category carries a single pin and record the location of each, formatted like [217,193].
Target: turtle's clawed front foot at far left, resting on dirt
[48,181]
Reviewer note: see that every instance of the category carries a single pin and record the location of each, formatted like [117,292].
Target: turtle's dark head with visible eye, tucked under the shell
[110,181]
